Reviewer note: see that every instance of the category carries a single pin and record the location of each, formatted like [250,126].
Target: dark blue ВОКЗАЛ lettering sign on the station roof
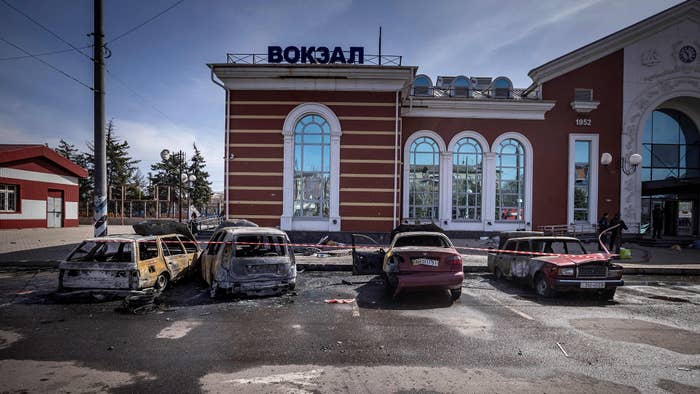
[314,55]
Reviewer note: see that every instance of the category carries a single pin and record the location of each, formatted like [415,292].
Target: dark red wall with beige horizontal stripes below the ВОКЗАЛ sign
[366,155]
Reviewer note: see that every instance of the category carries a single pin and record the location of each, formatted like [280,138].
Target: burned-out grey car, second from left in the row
[249,260]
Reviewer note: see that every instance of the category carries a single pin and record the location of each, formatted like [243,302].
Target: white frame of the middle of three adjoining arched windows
[448,223]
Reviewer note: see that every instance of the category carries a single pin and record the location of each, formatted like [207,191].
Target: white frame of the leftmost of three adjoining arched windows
[406,175]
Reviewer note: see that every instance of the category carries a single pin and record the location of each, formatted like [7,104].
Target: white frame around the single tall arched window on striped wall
[288,221]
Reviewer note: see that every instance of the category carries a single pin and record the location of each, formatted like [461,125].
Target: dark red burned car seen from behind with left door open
[414,259]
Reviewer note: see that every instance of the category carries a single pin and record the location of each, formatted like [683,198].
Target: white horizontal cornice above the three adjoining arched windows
[481,109]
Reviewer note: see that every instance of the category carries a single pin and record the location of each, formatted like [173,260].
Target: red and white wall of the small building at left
[36,179]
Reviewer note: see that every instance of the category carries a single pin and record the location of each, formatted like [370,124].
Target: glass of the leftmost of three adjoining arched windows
[424,179]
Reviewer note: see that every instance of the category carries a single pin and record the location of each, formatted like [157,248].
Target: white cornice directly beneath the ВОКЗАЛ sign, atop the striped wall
[313,77]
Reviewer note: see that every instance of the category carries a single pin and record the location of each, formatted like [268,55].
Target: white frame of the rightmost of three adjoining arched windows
[490,214]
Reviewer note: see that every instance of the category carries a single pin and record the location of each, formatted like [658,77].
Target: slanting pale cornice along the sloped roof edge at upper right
[690,10]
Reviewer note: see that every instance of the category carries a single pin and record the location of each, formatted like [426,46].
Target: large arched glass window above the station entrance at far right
[671,147]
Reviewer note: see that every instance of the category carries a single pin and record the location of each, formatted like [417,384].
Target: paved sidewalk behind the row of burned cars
[43,248]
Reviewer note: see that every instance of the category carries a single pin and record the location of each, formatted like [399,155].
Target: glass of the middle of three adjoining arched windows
[467,174]
